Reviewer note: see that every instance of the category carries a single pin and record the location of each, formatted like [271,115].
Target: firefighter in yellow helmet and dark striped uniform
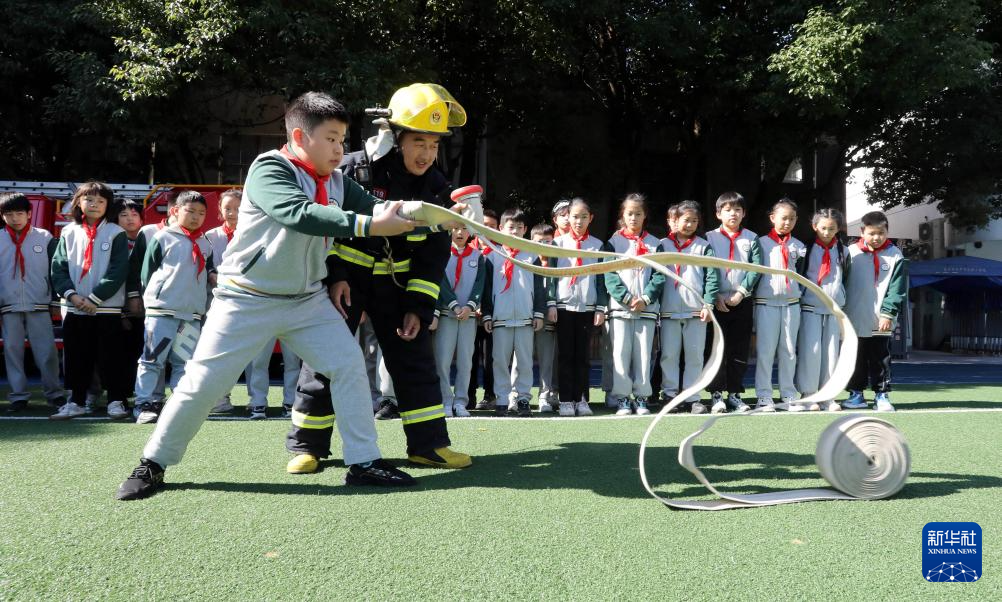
[394,281]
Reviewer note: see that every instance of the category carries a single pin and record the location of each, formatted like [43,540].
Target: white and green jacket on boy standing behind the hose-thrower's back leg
[172,283]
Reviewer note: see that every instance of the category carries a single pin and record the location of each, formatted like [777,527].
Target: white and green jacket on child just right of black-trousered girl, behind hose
[627,285]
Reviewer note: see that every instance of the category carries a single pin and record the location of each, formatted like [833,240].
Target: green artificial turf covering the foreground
[552,509]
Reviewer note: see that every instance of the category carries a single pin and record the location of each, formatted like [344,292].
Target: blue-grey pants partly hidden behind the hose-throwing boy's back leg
[158,350]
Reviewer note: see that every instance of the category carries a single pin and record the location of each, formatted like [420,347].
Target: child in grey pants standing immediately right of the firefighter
[455,320]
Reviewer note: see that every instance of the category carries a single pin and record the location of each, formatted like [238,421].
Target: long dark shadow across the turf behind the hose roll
[608,469]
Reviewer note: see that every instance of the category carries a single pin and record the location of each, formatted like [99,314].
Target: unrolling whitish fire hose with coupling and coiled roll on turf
[862,458]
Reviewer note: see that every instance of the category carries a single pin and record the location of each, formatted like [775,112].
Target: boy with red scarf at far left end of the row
[27,302]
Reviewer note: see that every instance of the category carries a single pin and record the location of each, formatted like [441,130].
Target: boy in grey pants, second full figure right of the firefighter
[515,304]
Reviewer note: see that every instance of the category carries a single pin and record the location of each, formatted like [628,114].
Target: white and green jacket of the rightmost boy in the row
[875,292]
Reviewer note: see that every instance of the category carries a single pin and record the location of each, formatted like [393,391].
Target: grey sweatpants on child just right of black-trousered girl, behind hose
[633,348]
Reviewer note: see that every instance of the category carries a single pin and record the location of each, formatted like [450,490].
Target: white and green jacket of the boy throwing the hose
[281,247]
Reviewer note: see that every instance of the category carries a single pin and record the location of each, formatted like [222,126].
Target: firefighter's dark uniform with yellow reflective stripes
[388,278]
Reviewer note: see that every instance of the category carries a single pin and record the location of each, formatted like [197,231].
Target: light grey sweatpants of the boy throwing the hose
[239,327]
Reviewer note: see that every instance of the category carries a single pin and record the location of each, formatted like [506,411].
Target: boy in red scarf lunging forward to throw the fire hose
[271,285]
